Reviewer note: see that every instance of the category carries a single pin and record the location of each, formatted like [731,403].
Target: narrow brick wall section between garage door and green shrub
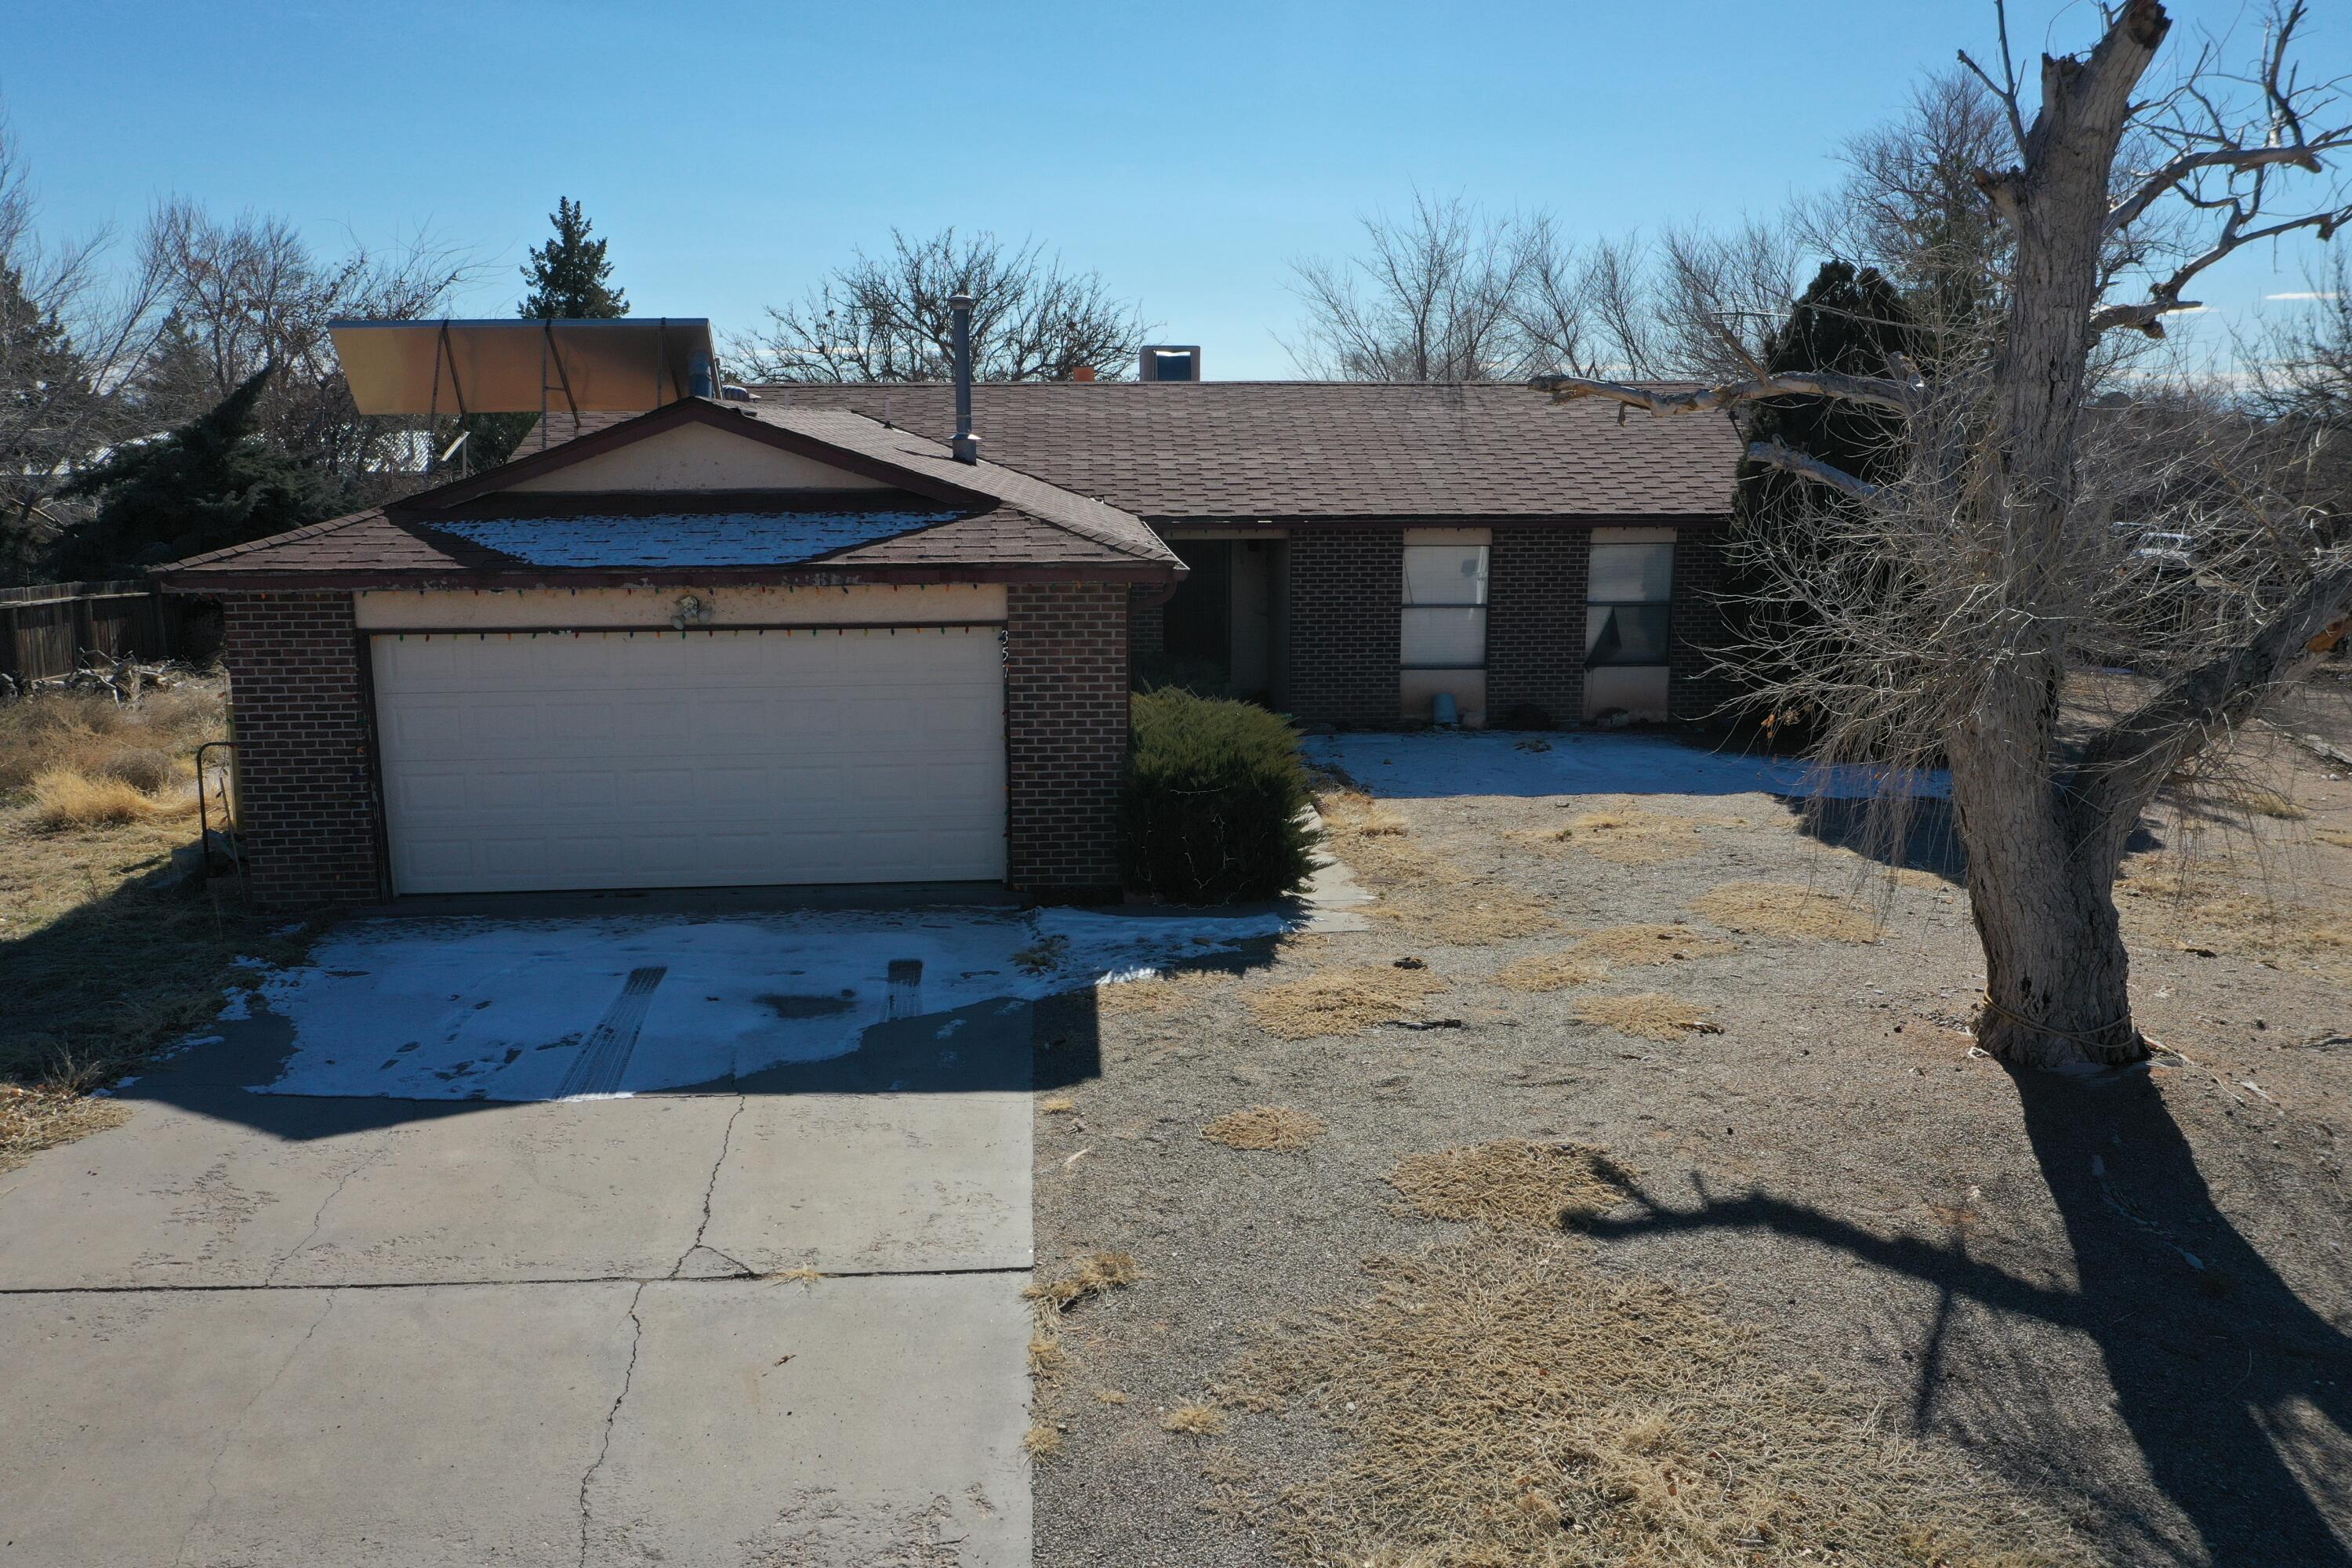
[1067,737]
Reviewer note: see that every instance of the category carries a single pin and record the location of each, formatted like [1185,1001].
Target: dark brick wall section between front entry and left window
[1347,587]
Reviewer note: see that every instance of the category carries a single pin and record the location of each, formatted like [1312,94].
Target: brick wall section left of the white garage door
[307,815]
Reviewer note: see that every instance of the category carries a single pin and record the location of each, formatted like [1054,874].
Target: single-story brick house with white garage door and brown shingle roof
[799,641]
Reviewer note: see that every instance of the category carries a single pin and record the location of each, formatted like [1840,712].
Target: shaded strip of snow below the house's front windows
[1572,763]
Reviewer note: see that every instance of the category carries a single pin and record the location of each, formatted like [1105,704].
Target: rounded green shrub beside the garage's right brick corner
[1215,800]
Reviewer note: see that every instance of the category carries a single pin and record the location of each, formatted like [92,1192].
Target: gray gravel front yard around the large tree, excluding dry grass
[2125,1299]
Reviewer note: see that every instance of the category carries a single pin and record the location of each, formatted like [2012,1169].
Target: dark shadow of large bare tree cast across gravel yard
[2221,1374]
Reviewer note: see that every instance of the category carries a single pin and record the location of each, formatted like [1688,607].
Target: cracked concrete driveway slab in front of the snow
[262,1329]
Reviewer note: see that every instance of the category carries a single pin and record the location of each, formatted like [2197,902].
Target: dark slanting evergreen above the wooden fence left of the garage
[208,485]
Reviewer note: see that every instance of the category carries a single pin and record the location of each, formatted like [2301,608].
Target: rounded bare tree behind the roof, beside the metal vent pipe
[886,319]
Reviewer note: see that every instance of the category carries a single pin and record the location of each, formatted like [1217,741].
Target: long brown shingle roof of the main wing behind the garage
[1314,448]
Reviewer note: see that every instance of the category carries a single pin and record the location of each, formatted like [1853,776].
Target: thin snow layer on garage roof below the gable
[686,540]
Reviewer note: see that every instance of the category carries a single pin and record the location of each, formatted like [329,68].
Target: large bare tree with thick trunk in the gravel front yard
[1972,589]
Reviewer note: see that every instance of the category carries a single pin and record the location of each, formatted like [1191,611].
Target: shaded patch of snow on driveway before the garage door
[469,1010]
